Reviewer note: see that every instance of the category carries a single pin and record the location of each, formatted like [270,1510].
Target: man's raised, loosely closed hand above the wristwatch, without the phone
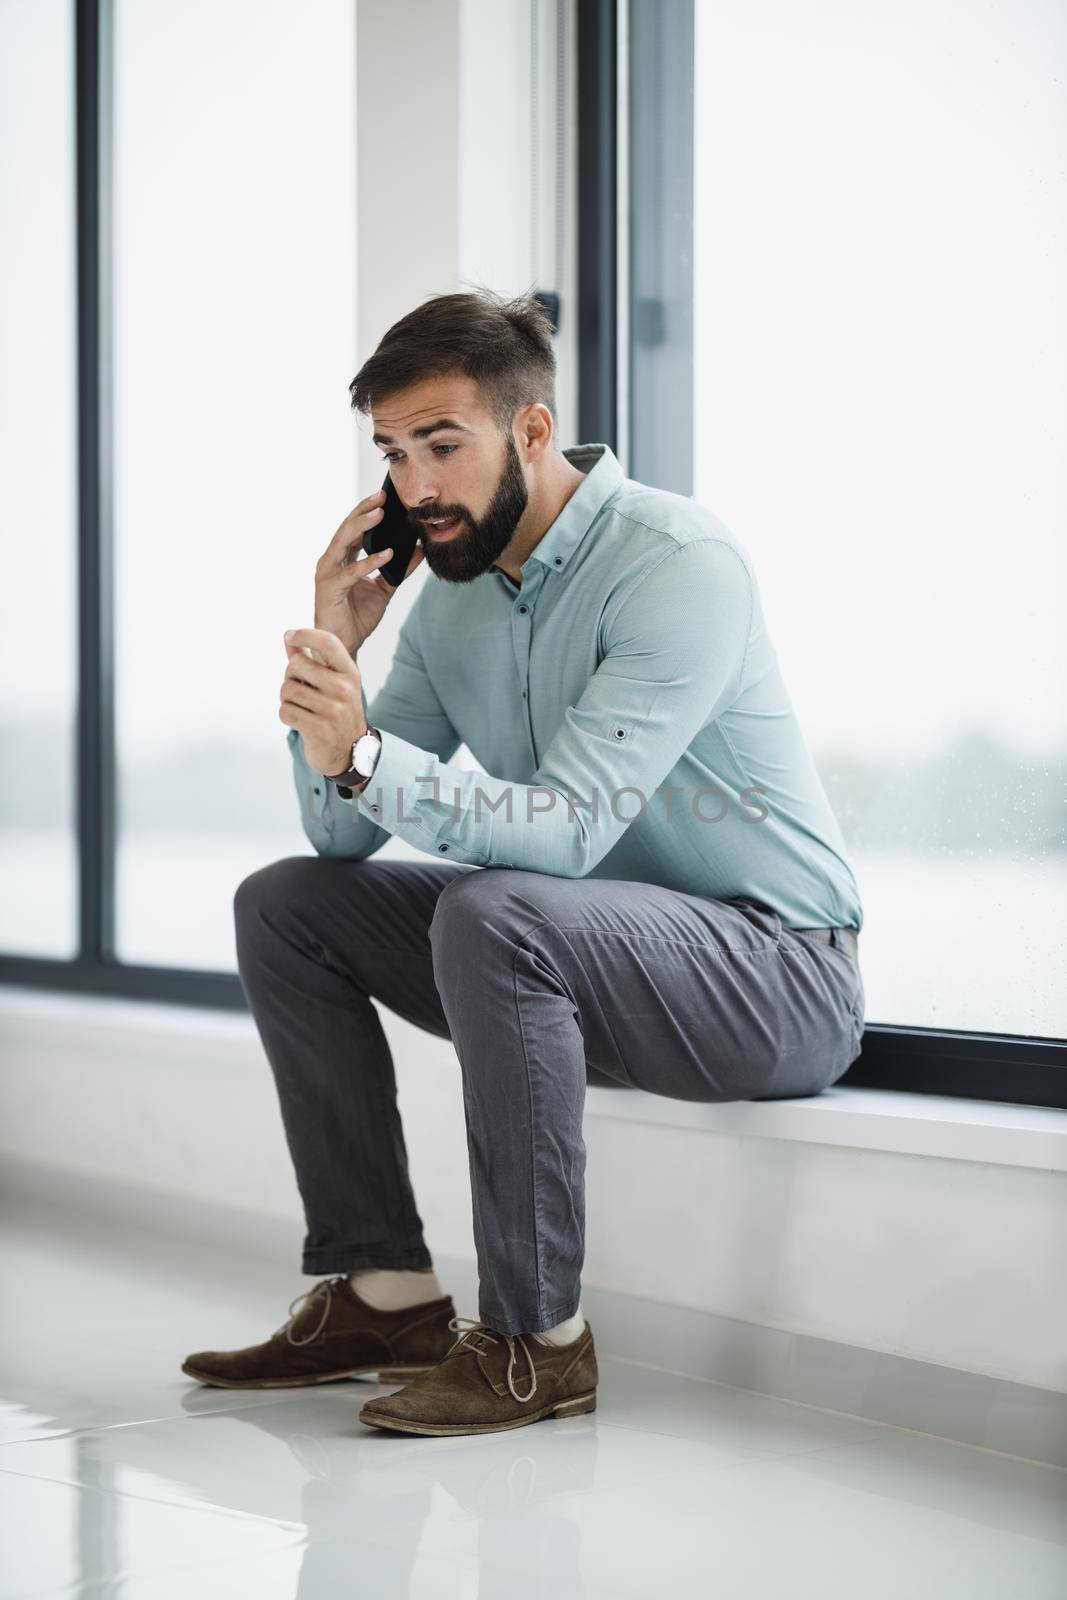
[321,695]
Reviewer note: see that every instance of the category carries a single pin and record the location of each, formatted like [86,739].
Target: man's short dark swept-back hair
[505,345]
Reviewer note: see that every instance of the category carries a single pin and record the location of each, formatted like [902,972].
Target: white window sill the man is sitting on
[861,1119]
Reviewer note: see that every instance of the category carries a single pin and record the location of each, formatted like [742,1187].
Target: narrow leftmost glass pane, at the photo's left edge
[39,546]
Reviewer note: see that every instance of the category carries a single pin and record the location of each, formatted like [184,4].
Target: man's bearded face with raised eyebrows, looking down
[450,463]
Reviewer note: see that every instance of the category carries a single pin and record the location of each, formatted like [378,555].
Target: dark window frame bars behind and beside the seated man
[1013,1070]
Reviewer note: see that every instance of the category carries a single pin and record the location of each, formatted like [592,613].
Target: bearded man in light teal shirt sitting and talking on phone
[669,908]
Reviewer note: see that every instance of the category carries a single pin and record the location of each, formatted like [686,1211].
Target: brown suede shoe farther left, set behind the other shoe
[334,1335]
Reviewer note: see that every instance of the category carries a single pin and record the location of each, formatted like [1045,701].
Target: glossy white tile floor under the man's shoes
[119,1478]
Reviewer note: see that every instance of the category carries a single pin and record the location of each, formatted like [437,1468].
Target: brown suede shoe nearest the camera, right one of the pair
[484,1386]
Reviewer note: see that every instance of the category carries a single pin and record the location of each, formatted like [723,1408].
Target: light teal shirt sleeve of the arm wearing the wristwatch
[674,660]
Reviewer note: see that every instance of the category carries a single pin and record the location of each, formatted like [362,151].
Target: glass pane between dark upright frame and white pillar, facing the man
[236,446]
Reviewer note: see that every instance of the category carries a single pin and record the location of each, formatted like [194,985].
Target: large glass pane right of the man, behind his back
[881,415]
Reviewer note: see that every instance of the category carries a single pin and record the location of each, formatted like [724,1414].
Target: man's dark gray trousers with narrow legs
[545,985]
